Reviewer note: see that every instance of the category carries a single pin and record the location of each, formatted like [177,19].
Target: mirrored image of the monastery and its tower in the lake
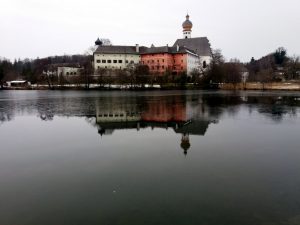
[165,113]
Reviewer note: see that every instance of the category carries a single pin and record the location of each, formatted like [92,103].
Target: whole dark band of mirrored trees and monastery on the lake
[187,114]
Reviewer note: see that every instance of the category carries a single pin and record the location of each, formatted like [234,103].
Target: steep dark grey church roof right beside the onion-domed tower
[200,45]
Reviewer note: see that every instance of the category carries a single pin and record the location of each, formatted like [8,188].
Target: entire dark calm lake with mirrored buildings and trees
[139,158]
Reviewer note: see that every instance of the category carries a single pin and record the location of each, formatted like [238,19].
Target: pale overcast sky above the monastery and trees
[240,28]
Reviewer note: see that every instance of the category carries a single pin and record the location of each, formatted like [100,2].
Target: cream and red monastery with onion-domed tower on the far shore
[185,56]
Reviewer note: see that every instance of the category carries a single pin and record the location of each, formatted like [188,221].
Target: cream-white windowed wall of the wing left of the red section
[115,61]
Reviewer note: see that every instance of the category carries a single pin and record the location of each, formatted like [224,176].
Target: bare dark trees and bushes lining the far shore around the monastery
[276,66]
